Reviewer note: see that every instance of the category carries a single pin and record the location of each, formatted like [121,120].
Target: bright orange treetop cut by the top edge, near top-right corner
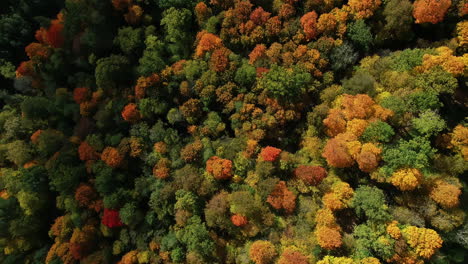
[430,11]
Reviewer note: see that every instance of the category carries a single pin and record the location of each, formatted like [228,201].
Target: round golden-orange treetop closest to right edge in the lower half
[445,194]
